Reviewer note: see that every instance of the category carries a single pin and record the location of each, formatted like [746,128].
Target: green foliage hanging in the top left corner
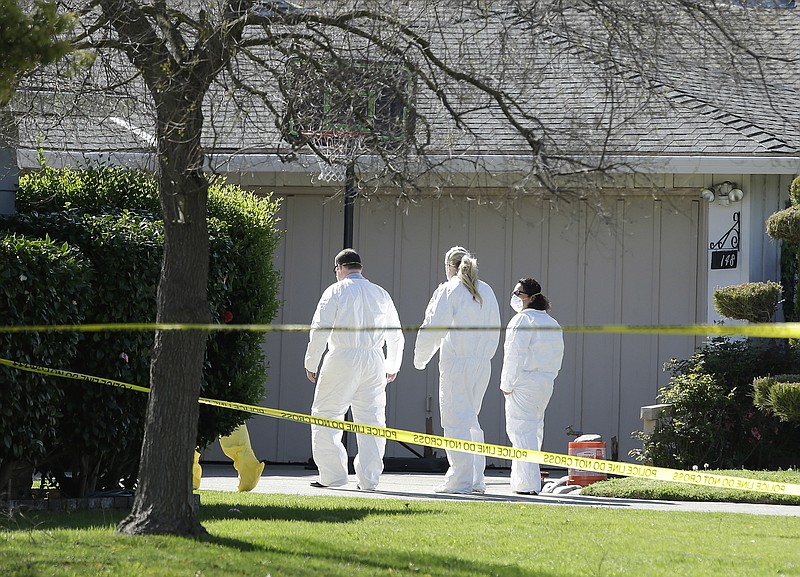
[28,39]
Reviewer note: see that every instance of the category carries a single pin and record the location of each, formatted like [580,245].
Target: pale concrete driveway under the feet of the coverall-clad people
[295,480]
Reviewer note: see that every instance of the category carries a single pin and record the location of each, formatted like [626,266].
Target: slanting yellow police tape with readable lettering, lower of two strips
[599,466]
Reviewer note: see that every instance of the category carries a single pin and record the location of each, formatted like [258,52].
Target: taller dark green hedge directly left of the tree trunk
[100,432]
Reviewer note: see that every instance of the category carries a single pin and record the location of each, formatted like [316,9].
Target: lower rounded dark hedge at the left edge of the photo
[30,271]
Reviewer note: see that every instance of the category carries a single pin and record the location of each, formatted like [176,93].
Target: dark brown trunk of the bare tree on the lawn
[164,499]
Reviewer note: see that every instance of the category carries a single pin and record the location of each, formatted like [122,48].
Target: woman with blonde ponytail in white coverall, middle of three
[464,361]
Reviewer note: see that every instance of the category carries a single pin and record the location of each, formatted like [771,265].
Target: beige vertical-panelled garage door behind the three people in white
[636,263]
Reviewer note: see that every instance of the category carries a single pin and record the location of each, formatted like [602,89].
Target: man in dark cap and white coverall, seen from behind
[354,373]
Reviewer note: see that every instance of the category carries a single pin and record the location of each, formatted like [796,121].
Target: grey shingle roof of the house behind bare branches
[679,109]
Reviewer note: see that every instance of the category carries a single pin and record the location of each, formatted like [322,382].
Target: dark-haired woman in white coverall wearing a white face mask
[531,361]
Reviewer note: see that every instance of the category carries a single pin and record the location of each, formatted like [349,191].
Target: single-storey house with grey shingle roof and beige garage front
[698,168]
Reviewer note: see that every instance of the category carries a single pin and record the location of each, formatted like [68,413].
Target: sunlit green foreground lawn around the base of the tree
[278,535]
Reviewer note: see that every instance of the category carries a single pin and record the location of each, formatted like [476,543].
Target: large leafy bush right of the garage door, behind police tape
[713,419]
